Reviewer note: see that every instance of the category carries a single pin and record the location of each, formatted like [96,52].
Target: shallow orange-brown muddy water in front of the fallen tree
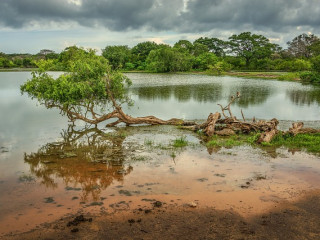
[131,168]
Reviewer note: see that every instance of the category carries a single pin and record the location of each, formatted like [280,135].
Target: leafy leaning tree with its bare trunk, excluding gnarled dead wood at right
[89,90]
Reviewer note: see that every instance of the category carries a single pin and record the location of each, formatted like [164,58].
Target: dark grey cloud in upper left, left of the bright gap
[116,15]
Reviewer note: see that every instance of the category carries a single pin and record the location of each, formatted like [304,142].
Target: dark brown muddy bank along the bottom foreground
[298,220]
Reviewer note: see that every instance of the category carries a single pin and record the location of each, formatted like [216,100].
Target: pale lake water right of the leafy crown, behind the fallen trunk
[194,96]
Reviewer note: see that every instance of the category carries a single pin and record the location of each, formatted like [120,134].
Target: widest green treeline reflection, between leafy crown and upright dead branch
[183,93]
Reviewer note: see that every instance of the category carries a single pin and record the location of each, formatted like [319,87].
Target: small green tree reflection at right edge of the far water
[304,97]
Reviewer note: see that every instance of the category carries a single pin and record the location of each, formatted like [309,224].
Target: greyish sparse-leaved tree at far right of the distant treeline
[300,46]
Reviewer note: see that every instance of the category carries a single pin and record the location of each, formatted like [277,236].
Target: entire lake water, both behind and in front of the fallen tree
[49,168]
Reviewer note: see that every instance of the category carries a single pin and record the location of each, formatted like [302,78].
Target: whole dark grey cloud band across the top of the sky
[168,15]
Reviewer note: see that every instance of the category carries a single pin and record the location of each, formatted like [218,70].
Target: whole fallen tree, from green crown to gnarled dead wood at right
[92,92]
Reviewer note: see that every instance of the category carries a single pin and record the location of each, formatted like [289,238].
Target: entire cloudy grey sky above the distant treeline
[32,25]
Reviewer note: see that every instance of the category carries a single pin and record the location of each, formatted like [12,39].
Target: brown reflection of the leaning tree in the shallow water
[88,157]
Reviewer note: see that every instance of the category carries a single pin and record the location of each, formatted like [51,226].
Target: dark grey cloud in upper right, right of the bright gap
[276,15]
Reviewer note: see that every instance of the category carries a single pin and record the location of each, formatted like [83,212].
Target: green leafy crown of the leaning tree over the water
[84,82]
